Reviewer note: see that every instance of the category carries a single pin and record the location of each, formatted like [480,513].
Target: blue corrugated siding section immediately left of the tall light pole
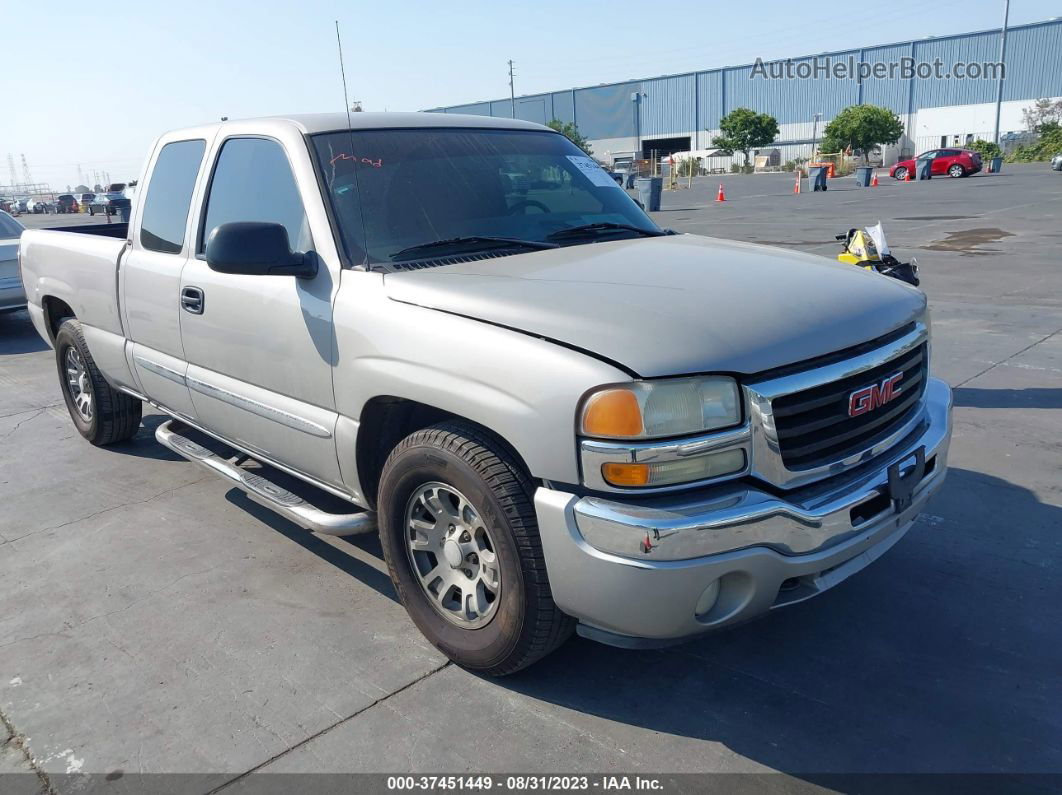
[939,93]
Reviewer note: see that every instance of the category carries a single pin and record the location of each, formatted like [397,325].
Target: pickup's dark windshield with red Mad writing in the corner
[403,195]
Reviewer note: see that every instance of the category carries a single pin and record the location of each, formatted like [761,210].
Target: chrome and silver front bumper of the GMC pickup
[673,567]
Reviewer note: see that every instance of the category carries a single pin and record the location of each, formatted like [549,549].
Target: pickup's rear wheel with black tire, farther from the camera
[112,417]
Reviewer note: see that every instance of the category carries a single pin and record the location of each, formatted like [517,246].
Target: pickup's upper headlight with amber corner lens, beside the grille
[675,407]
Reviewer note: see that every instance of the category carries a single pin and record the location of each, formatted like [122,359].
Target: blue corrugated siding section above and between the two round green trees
[791,100]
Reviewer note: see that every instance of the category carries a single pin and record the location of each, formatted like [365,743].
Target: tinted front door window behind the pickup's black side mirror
[253,182]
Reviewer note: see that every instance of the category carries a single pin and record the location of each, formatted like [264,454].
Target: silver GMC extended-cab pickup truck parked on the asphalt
[461,333]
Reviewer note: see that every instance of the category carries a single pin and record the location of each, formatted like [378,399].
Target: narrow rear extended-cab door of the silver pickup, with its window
[151,273]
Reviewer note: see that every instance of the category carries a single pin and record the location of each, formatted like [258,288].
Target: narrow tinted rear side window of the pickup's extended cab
[170,196]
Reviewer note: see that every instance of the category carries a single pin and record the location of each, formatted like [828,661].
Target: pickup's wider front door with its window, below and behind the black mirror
[260,348]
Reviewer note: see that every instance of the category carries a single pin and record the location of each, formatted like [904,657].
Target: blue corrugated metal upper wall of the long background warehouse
[683,103]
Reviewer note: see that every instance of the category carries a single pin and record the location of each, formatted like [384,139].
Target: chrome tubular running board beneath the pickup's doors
[264,491]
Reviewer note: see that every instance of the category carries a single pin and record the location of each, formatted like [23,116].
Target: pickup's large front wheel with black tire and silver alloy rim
[523,624]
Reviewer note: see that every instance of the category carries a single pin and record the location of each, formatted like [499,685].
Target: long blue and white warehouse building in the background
[681,113]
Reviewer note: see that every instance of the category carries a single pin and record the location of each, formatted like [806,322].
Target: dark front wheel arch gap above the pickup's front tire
[387,420]
